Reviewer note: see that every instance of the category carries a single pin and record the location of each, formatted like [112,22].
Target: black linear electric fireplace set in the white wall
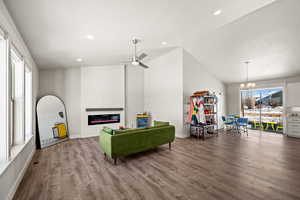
[103,119]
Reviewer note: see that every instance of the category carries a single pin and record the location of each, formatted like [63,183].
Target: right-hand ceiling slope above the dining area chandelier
[268,38]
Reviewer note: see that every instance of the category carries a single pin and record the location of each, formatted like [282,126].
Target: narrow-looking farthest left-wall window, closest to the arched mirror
[28,103]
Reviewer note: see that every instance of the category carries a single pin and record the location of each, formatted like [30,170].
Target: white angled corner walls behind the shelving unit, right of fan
[169,82]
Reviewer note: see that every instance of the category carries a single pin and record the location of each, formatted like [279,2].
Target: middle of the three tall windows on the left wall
[17,99]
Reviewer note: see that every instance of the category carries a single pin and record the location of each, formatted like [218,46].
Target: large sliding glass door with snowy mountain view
[263,108]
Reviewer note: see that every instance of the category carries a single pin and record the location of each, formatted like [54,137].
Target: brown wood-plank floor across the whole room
[260,166]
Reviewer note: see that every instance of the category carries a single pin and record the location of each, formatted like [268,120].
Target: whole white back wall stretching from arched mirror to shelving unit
[160,89]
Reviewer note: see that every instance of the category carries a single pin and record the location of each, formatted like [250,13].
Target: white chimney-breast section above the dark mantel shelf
[103,87]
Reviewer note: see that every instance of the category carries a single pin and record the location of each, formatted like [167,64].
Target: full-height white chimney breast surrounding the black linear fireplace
[102,87]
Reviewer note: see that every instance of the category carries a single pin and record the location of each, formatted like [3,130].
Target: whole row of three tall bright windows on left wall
[16,102]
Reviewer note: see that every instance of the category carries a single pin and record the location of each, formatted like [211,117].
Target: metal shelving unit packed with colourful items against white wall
[209,124]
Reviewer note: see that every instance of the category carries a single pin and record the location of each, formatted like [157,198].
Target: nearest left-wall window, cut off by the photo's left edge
[3,98]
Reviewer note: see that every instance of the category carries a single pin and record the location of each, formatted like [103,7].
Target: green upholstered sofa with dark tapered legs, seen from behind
[130,141]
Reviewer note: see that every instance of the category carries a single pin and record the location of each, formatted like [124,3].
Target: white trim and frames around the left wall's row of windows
[9,152]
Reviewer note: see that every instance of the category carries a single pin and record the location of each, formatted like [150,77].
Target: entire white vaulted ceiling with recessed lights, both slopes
[263,31]
